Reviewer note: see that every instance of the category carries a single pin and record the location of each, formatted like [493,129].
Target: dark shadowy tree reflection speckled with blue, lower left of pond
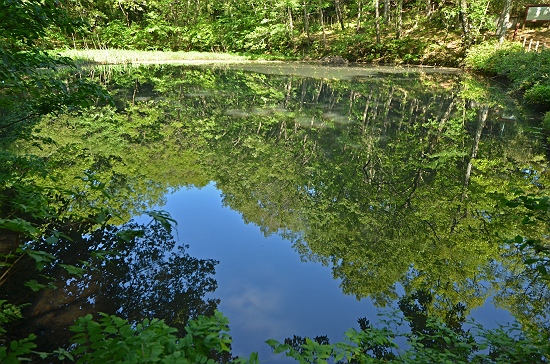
[144,273]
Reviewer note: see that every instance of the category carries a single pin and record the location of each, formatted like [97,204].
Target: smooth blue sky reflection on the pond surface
[266,291]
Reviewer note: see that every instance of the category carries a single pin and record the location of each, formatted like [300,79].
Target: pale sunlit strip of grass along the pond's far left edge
[120,56]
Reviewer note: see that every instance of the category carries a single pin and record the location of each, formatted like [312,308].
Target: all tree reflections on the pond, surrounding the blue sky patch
[391,180]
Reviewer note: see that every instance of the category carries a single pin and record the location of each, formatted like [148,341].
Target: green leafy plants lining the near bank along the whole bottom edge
[113,339]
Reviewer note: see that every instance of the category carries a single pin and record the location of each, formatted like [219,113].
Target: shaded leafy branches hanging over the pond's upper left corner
[30,84]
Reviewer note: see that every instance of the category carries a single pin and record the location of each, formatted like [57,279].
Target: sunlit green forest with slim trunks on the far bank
[357,30]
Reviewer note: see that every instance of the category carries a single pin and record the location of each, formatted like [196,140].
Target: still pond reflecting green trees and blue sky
[306,197]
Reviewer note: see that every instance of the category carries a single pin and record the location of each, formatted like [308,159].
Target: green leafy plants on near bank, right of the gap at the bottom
[502,345]
